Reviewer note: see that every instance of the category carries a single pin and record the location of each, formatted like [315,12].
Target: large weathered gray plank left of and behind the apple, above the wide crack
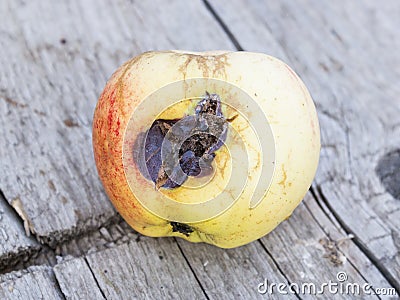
[54,66]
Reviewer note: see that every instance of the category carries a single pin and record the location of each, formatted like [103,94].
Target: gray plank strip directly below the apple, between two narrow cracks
[232,273]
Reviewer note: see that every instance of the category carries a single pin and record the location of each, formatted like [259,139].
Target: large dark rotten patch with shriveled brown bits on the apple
[190,146]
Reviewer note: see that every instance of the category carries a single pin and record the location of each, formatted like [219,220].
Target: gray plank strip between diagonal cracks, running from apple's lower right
[298,248]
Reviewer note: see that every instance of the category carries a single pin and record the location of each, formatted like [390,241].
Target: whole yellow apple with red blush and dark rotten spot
[216,147]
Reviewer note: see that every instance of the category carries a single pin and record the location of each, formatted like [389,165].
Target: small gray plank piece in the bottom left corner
[33,283]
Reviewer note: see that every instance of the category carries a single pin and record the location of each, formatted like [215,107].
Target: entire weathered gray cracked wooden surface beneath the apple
[55,58]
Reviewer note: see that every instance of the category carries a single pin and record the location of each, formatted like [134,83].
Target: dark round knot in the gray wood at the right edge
[388,171]
